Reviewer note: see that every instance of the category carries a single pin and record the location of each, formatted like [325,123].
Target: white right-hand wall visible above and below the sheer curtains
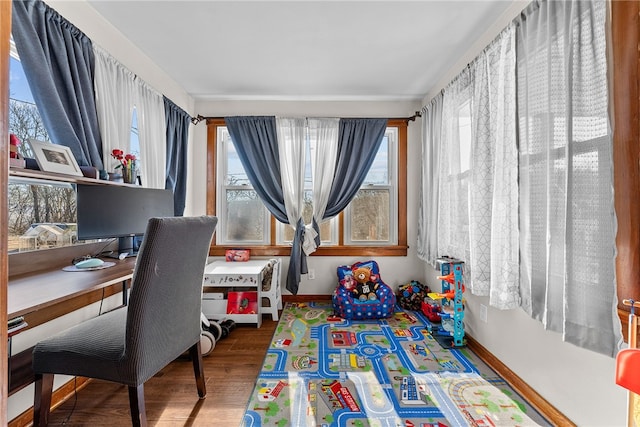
[579,383]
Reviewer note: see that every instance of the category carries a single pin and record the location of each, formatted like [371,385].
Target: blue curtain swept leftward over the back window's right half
[358,144]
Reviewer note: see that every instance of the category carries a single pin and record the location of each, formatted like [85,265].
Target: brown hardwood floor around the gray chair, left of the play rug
[171,396]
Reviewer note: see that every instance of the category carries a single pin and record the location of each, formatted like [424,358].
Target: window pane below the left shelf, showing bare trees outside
[41,216]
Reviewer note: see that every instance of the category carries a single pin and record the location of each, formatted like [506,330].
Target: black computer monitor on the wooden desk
[114,211]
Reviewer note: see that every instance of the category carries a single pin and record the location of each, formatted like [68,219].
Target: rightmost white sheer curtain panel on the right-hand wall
[567,217]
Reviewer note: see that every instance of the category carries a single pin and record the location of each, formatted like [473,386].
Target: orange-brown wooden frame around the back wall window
[341,249]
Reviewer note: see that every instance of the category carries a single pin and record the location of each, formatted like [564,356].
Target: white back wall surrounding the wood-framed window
[394,270]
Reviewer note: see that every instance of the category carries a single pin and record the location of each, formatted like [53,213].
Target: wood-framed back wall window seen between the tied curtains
[375,219]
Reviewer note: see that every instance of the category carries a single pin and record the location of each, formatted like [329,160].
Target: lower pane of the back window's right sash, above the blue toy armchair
[370,216]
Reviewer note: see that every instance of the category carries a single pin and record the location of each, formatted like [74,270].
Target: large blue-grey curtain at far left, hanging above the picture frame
[58,62]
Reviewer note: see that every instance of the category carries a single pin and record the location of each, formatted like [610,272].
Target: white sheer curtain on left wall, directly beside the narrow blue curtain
[152,134]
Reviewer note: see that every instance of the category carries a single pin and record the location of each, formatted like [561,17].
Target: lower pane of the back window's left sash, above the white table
[244,217]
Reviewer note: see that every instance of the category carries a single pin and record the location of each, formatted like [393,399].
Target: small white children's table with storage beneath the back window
[222,274]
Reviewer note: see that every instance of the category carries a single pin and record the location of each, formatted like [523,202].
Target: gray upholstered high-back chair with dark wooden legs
[131,344]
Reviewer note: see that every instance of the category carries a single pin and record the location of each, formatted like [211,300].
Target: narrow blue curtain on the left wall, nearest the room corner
[177,121]
